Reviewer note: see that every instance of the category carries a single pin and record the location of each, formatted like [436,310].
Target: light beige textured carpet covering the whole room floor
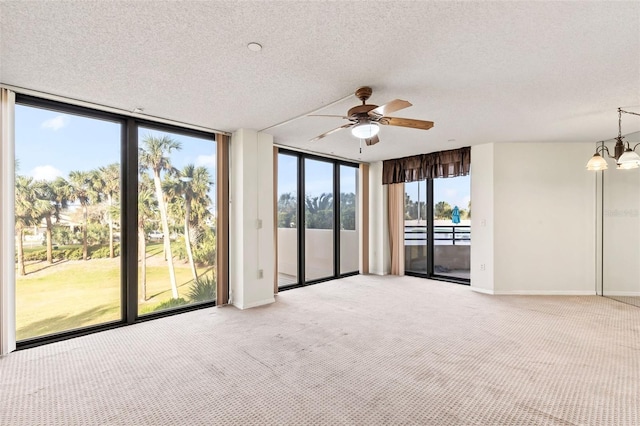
[364,350]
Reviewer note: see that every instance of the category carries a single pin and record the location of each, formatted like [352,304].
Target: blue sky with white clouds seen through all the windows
[51,144]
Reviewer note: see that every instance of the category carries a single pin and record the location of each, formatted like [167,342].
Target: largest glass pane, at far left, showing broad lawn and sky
[67,221]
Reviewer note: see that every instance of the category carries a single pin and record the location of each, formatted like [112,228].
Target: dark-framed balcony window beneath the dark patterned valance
[437,231]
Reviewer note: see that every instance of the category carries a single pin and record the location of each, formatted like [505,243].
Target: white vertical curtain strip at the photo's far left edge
[7,227]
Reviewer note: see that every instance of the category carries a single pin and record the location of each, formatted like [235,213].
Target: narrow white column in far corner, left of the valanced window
[379,256]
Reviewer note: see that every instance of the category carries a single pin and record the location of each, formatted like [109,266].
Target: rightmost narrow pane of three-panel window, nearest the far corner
[349,227]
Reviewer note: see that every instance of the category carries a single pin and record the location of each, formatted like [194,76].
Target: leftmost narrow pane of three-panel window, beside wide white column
[287,220]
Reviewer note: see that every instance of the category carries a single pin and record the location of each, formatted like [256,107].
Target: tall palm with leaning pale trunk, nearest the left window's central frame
[154,157]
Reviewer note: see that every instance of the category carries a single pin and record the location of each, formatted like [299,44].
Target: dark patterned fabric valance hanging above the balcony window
[452,163]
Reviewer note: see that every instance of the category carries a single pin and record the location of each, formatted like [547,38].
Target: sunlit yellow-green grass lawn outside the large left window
[74,294]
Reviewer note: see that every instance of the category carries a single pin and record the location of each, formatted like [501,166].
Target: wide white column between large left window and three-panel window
[251,231]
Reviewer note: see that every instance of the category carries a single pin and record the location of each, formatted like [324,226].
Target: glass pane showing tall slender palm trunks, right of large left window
[176,220]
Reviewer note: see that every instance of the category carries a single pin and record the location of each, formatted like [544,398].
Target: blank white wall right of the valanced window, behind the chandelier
[543,221]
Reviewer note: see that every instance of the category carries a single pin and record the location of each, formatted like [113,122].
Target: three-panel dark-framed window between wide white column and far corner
[325,244]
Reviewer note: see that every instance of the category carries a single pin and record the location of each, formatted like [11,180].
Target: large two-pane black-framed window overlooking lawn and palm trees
[115,219]
